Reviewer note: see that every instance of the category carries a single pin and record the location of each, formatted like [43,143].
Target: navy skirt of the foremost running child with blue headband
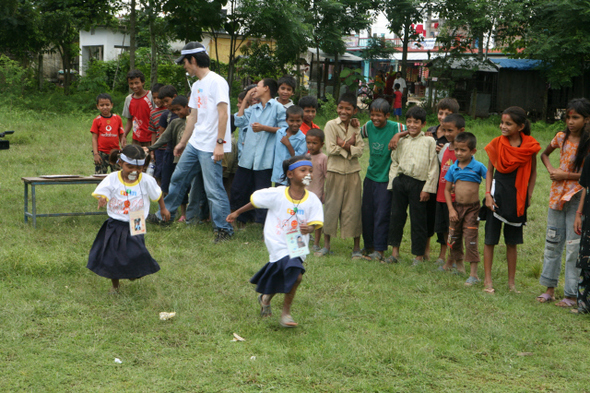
[279,276]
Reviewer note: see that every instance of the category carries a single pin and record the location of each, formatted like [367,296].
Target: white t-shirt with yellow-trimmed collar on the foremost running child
[281,216]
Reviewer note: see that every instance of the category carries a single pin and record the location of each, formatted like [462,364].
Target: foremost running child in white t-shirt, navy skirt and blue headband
[293,212]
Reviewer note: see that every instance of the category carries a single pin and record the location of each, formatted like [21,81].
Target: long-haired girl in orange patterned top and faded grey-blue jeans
[564,199]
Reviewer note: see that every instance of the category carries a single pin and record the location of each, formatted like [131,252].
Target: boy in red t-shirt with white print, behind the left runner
[107,134]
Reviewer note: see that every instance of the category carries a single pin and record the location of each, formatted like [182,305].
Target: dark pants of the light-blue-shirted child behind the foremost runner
[246,181]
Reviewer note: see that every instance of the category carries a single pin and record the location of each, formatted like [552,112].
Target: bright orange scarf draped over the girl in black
[506,159]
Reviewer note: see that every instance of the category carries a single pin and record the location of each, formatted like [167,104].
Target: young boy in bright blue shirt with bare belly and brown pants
[466,175]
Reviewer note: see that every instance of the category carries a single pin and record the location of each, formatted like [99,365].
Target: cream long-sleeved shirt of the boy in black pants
[417,158]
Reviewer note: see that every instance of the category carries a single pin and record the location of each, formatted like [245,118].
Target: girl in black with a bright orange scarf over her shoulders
[512,172]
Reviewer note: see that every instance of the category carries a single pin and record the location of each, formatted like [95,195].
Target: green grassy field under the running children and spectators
[364,327]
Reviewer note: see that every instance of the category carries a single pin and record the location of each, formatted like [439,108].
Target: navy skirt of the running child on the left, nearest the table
[116,254]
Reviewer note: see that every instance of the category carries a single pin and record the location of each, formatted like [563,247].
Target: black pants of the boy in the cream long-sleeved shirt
[406,191]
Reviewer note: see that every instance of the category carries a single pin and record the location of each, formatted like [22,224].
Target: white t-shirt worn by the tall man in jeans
[206,94]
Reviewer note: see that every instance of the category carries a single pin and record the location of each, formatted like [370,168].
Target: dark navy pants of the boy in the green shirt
[376,209]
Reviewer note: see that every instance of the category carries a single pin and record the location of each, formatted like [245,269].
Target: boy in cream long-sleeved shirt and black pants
[412,178]
